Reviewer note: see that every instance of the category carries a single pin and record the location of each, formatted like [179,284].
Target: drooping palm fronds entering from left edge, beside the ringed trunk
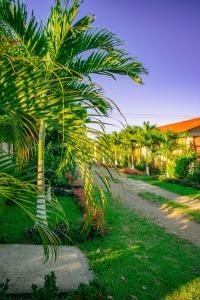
[18,128]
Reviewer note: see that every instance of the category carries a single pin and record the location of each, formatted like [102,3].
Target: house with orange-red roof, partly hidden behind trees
[192,126]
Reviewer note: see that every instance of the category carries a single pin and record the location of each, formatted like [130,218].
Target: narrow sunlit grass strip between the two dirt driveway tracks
[182,208]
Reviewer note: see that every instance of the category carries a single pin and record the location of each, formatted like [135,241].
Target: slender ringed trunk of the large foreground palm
[41,198]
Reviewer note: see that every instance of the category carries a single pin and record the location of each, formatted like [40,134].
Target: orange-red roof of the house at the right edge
[182,126]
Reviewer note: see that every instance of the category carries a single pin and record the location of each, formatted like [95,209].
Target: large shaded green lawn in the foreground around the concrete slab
[136,258]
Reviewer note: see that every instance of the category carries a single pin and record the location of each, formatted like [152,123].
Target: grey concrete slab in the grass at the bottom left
[23,265]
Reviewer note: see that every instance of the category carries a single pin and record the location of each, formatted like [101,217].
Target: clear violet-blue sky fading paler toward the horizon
[165,36]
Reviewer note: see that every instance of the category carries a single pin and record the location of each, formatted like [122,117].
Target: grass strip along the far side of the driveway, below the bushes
[172,187]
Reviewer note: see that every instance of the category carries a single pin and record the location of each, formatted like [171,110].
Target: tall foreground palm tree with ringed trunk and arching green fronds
[57,48]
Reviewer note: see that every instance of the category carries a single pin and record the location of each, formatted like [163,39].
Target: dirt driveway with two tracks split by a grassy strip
[127,190]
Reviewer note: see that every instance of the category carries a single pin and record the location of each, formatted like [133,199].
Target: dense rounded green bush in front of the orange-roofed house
[182,165]
